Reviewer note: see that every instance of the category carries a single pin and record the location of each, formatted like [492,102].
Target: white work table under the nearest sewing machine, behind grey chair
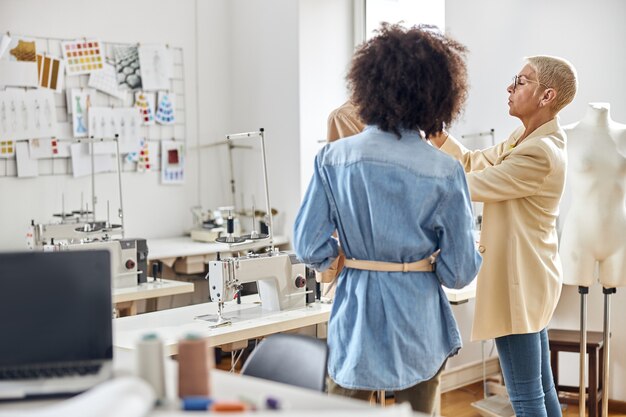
[249,322]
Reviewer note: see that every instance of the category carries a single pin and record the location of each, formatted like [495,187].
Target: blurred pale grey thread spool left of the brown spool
[151,364]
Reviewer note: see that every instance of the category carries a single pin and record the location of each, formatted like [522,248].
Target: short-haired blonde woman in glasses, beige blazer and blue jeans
[521,181]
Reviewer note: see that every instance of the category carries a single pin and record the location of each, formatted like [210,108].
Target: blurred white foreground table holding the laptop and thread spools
[225,386]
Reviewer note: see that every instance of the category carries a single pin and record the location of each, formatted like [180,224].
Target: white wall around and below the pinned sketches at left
[151,209]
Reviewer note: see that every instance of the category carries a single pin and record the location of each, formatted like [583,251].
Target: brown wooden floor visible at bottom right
[457,403]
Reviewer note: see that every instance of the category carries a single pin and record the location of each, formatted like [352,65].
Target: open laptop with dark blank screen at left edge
[55,322]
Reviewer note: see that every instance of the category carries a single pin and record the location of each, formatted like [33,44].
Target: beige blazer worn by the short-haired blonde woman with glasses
[519,284]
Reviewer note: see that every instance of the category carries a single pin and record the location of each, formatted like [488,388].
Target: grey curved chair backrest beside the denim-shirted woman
[292,359]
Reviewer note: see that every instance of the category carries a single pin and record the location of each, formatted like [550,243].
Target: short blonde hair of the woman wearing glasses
[556,73]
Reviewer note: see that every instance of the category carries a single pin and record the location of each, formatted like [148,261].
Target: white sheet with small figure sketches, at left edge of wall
[27,114]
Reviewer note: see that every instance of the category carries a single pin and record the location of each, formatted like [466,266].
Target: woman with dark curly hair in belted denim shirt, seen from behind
[400,207]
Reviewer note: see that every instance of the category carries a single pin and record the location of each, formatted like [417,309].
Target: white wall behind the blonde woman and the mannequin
[589,34]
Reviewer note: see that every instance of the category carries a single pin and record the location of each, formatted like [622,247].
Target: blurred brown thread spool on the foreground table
[195,360]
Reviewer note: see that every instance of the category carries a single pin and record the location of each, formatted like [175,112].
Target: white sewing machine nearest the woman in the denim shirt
[280,276]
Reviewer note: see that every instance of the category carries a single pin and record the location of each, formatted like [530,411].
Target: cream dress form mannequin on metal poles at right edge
[595,226]
